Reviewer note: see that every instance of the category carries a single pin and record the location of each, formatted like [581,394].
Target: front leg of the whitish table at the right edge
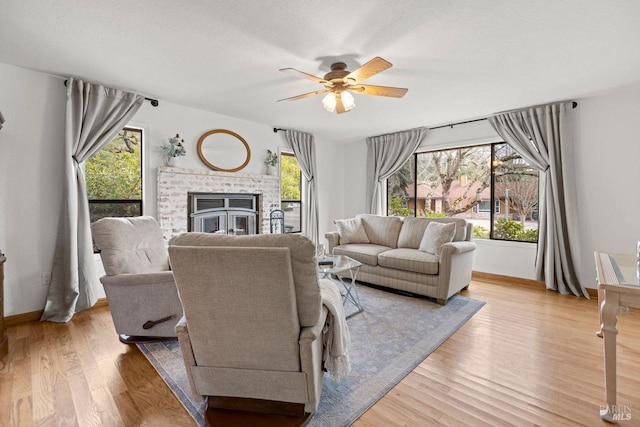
[609,315]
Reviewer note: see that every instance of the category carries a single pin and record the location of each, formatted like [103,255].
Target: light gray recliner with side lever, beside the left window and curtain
[139,285]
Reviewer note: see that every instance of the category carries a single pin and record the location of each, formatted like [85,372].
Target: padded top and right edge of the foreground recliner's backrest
[303,263]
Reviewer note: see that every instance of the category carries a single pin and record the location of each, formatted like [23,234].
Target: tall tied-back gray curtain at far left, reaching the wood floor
[94,115]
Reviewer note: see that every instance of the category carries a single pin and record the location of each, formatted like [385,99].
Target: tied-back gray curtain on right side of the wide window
[538,134]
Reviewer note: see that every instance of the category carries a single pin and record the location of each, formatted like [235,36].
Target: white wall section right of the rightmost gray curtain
[608,169]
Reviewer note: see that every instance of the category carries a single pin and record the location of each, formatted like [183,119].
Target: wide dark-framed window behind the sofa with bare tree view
[490,186]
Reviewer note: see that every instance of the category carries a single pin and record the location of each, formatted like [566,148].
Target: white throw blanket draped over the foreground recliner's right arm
[335,333]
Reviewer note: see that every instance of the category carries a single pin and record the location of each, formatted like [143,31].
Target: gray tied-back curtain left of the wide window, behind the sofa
[386,154]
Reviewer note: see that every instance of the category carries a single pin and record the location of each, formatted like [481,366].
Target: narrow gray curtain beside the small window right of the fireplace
[303,145]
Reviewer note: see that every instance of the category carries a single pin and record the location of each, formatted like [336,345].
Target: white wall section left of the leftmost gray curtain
[31,155]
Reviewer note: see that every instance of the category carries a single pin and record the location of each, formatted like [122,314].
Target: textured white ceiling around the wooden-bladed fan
[459,59]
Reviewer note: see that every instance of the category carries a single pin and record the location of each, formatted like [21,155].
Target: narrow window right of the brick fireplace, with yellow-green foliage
[290,193]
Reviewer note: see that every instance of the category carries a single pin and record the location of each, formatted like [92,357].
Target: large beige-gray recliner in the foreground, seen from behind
[251,335]
